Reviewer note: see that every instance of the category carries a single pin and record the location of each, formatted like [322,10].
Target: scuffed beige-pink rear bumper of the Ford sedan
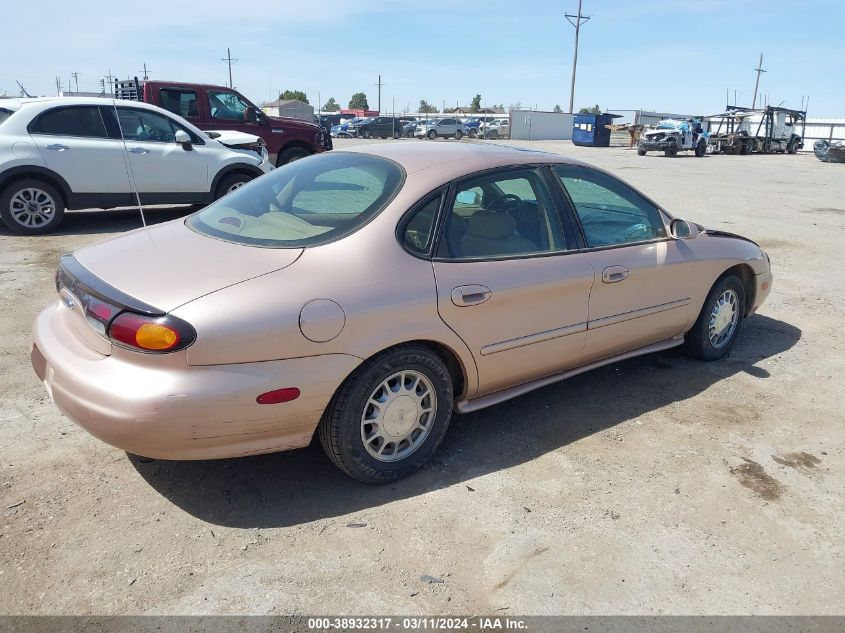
[158,406]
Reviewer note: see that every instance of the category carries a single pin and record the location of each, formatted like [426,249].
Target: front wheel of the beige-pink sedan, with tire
[718,324]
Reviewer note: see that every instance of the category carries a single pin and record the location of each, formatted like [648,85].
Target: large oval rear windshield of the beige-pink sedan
[304,203]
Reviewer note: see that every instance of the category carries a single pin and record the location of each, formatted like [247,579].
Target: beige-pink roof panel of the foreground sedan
[472,155]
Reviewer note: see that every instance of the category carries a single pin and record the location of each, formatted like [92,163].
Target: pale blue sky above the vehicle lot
[669,55]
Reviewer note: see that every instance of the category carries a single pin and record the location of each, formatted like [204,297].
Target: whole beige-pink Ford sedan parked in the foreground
[365,295]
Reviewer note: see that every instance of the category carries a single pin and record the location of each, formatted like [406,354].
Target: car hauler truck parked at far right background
[769,130]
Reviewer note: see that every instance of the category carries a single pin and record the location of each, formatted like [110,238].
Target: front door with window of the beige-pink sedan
[640,295]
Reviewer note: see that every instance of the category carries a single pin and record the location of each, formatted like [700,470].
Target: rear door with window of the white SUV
[75,143]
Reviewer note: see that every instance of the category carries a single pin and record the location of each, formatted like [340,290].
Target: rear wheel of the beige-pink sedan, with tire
[389,416]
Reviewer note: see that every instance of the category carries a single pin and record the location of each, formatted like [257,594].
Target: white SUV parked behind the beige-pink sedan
[78,153]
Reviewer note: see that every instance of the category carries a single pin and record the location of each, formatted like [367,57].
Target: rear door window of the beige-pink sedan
[501,215]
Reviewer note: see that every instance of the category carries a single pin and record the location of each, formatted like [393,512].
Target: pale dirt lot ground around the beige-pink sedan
[660,485]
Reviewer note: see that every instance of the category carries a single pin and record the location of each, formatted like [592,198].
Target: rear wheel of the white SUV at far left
[31,207]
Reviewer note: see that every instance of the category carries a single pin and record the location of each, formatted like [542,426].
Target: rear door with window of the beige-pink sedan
[507,283]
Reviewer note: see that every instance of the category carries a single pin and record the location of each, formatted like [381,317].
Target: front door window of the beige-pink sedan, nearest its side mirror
[610,212]
